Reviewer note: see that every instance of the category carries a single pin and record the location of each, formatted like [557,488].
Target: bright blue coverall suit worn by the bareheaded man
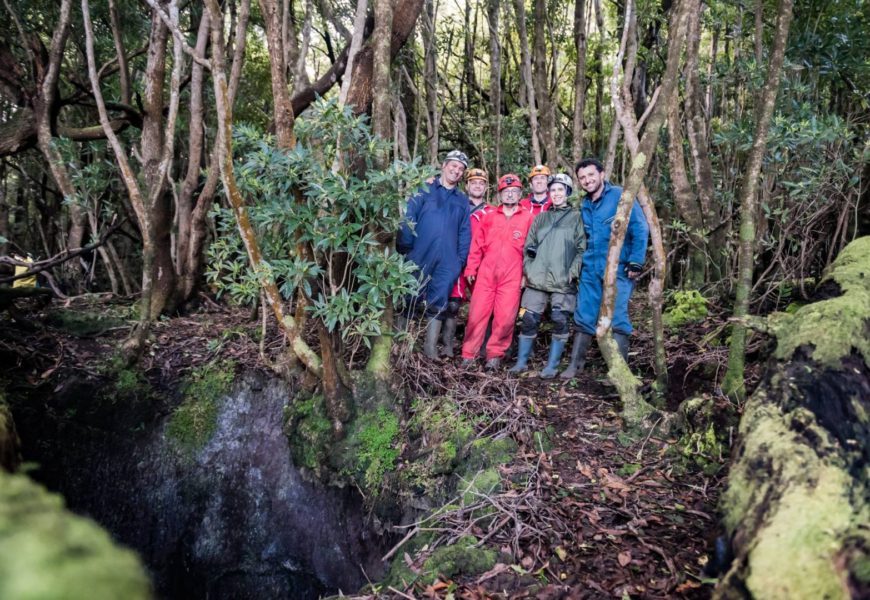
[597,218]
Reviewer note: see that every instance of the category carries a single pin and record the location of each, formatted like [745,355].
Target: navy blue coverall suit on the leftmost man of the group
[436,236]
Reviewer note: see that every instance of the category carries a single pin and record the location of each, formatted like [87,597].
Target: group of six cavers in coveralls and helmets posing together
[517,258]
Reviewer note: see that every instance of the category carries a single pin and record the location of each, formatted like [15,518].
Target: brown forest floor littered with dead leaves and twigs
[604,514]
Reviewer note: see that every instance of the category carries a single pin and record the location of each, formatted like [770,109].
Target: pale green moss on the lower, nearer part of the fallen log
[812,490]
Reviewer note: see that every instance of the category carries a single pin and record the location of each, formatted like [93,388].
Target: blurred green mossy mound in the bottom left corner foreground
[47,552]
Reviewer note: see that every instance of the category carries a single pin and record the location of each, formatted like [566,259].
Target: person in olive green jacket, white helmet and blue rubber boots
[551,268]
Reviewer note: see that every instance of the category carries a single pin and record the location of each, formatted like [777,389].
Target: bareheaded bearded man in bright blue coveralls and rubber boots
[598,211]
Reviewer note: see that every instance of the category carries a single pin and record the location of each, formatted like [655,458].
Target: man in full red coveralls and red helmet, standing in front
[495,267]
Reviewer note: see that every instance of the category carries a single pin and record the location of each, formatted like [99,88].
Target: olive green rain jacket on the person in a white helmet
[556,266]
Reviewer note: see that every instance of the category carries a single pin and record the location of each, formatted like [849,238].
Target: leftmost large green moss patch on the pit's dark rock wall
[194,421]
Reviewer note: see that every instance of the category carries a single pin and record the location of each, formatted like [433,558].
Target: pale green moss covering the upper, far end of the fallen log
[832,327]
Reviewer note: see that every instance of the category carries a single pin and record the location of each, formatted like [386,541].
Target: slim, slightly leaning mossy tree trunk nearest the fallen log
[733,383]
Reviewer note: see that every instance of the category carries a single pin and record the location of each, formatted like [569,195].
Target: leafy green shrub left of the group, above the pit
[322,228]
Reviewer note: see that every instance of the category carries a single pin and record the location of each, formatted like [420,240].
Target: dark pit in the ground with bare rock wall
[234,519]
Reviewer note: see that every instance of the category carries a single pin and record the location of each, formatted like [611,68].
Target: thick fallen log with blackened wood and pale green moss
[796,505]
